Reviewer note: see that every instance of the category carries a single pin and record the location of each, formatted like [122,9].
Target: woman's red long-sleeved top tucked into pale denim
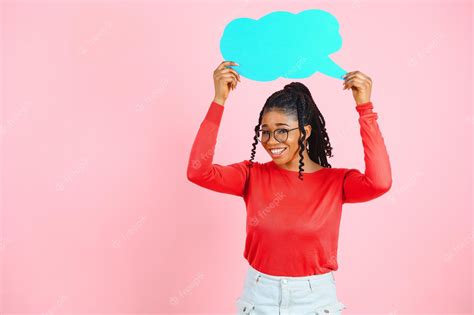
[292,226]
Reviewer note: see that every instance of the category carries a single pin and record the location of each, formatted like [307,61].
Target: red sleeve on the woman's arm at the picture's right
[377,180]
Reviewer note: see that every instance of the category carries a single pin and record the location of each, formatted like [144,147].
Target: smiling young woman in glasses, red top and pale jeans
[294,201]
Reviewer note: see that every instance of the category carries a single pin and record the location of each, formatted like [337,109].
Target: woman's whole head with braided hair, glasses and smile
[309,145]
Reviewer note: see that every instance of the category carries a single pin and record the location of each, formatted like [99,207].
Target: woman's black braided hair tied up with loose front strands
[295,100]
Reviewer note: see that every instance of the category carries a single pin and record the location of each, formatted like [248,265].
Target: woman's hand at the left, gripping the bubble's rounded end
[225,79]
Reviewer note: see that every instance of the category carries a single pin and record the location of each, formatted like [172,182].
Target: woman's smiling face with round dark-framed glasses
[274,120]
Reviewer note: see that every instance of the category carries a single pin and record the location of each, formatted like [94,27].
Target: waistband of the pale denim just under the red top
[260,277]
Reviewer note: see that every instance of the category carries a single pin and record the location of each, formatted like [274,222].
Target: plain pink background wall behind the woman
[100,105]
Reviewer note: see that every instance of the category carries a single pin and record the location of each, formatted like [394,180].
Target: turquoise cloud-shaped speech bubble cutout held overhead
[283,44]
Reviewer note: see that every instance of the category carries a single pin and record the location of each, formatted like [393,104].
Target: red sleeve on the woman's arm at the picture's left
[230,179]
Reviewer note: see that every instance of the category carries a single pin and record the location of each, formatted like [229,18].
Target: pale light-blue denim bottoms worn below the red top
[265,294]
